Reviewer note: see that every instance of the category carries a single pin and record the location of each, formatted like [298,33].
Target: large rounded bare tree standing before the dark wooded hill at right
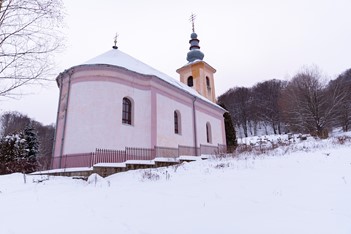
[309,104]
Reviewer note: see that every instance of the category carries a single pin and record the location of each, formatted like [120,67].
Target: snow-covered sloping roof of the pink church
[118,58]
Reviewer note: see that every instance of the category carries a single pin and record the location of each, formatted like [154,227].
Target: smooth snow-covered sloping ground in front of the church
[305,188]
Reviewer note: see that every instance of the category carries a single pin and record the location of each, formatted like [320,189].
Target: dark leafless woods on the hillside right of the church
[305,104]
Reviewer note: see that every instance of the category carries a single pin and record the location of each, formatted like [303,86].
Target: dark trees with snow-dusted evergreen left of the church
[25,144]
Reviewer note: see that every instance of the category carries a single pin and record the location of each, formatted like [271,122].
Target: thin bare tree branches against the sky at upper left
[29,34]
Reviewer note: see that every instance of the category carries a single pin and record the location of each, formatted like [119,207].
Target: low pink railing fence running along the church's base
[119,156]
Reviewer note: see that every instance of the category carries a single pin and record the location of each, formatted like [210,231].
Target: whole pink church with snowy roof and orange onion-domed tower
[114,101]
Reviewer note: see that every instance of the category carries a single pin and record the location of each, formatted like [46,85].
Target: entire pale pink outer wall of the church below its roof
[95,110]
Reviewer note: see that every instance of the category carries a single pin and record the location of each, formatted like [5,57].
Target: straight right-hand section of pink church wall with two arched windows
[168,102]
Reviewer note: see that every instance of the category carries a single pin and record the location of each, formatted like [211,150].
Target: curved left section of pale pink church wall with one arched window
[95,117]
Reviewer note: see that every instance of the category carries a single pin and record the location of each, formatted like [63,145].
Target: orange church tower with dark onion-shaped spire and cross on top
[197,73]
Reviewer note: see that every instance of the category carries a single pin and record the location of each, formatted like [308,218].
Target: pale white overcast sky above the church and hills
[246,41]
